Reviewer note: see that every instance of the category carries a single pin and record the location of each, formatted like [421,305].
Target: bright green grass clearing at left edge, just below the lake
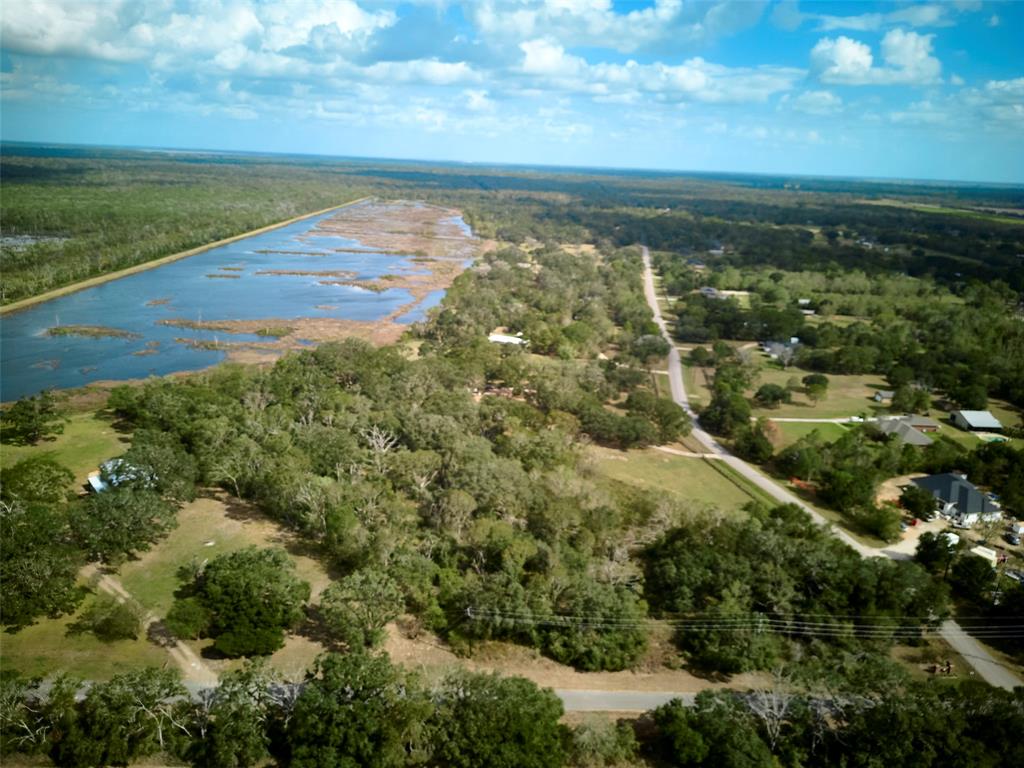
[88,441]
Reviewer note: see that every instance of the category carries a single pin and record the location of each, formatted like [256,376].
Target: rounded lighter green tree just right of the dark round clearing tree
[357,609]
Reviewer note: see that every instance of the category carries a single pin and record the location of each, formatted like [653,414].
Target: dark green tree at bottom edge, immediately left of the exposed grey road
[499,722]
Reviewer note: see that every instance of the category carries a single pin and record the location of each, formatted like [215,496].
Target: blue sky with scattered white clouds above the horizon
[911,91]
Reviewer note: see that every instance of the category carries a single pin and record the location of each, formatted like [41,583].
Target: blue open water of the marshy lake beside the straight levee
[32,361]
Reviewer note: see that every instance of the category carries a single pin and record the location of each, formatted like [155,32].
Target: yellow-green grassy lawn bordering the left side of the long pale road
[687,479]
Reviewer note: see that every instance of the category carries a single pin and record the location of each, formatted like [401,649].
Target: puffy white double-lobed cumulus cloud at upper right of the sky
[908,58]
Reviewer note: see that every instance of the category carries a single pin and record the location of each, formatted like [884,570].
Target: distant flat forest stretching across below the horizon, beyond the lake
[73,214]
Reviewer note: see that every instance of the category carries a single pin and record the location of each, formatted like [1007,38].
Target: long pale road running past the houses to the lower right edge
[991,670]
